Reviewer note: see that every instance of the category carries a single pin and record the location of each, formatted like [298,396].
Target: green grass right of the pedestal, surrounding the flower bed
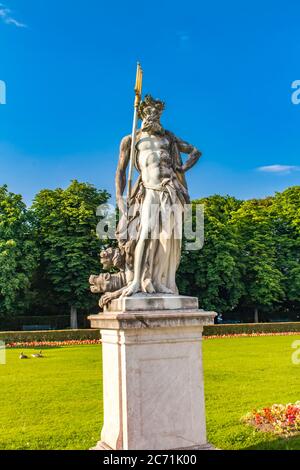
[242,374]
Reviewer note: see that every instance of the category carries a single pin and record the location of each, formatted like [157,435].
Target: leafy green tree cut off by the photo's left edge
[18,254]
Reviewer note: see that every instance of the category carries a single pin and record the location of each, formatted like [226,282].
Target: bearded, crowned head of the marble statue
[150,112]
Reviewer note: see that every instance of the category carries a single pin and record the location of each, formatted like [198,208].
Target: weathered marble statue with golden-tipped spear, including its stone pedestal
[153,390]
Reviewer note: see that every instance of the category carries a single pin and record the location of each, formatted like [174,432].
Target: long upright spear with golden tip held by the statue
[138,96]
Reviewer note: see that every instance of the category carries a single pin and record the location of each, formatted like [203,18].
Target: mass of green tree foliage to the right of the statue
[250,259]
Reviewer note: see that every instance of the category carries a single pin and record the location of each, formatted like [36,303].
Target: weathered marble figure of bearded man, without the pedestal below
[150,229]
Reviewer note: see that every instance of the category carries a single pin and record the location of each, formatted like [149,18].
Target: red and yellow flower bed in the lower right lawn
[277,419]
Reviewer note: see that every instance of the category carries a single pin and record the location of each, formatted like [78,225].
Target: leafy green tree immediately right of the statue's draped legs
[212,273]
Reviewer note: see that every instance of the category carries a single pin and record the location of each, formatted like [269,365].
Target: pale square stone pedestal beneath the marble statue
[152,373]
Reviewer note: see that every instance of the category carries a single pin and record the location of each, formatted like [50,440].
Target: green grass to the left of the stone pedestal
[51,403]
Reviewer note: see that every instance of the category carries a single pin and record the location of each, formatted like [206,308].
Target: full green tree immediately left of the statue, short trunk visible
[66,228]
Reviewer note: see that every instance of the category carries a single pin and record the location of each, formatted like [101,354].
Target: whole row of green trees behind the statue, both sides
[248,268]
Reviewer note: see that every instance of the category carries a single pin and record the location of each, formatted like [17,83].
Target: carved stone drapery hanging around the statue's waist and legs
[157,210]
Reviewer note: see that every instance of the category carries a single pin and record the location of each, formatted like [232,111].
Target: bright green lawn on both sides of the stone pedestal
[56,402]
